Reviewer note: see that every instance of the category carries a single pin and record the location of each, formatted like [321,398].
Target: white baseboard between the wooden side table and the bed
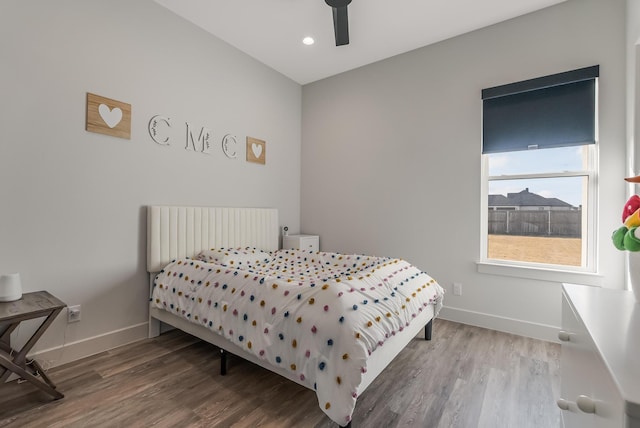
[93,345]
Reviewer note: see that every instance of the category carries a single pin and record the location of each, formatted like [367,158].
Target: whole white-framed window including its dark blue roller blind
[539,166]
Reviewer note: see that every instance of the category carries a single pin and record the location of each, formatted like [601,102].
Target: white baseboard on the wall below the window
[544,332]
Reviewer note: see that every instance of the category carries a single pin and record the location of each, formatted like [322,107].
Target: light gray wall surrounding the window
[386,147]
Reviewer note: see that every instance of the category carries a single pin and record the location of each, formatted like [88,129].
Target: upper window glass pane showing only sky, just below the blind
[560,159]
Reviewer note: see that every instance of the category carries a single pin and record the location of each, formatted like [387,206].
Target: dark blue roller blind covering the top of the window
[551,111]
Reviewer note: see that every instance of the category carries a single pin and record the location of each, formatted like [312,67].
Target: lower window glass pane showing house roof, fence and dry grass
[537,220]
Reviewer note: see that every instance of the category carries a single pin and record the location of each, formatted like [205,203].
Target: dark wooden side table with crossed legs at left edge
[34,305]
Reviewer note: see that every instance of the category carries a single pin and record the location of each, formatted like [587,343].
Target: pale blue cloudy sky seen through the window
[540,161]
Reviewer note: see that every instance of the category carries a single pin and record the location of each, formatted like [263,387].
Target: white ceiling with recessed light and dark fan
[271,31]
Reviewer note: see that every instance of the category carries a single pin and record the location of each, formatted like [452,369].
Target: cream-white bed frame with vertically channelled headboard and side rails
[176,232]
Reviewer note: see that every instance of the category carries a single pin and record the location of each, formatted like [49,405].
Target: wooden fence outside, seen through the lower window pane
[566,224]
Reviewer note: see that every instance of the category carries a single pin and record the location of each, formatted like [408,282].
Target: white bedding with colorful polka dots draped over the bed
[318,315]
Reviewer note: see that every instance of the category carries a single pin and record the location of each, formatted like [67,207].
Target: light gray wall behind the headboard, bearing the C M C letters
[72,219]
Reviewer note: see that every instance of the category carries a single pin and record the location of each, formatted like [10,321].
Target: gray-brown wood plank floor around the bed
[465,377]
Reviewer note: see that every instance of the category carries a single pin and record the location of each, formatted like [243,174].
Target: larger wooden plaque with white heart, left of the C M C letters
[107,116]
